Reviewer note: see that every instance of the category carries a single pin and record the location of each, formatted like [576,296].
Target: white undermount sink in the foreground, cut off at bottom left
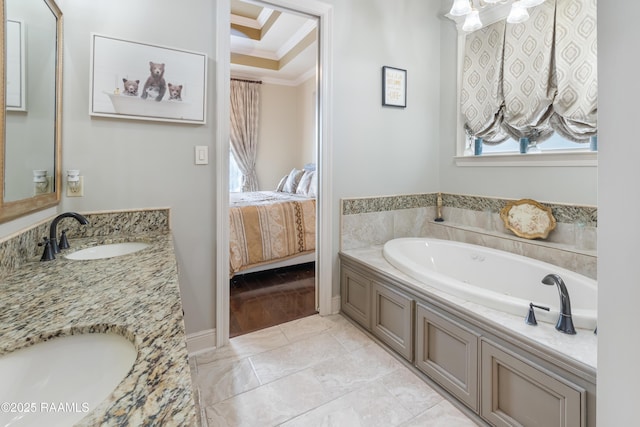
[58,382]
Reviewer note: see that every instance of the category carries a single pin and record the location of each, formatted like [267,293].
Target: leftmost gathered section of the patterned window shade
[481,92]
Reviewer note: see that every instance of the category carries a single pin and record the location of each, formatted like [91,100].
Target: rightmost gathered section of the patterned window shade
[576,104]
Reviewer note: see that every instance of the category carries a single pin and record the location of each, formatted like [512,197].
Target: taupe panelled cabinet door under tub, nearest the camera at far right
[517,392]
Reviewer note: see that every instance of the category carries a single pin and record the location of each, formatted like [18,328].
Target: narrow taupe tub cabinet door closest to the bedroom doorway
[355,297]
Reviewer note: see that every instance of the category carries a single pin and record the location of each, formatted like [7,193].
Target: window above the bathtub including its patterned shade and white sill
[521,81]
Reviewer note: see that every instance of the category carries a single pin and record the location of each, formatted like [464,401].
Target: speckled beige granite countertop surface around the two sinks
[134,295]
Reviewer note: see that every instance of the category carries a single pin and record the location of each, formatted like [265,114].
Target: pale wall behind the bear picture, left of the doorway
[135,164]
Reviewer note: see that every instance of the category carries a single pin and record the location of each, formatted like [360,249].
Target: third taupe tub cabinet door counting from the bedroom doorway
[448,353]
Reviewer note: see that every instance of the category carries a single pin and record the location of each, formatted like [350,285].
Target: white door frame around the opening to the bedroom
[324,241]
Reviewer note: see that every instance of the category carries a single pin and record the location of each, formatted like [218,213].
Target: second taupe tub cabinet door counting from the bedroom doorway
[392,319]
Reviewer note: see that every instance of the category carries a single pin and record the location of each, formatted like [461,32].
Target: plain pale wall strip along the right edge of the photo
[619,202]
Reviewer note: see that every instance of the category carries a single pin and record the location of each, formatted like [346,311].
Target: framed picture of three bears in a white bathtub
[141,81]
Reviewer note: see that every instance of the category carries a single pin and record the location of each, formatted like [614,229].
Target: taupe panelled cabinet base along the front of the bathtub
[504,381]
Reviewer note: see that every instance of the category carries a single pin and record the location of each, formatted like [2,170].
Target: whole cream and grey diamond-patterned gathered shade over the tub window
[529,79]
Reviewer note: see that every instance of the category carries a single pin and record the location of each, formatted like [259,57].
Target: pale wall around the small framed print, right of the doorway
[384,150]
